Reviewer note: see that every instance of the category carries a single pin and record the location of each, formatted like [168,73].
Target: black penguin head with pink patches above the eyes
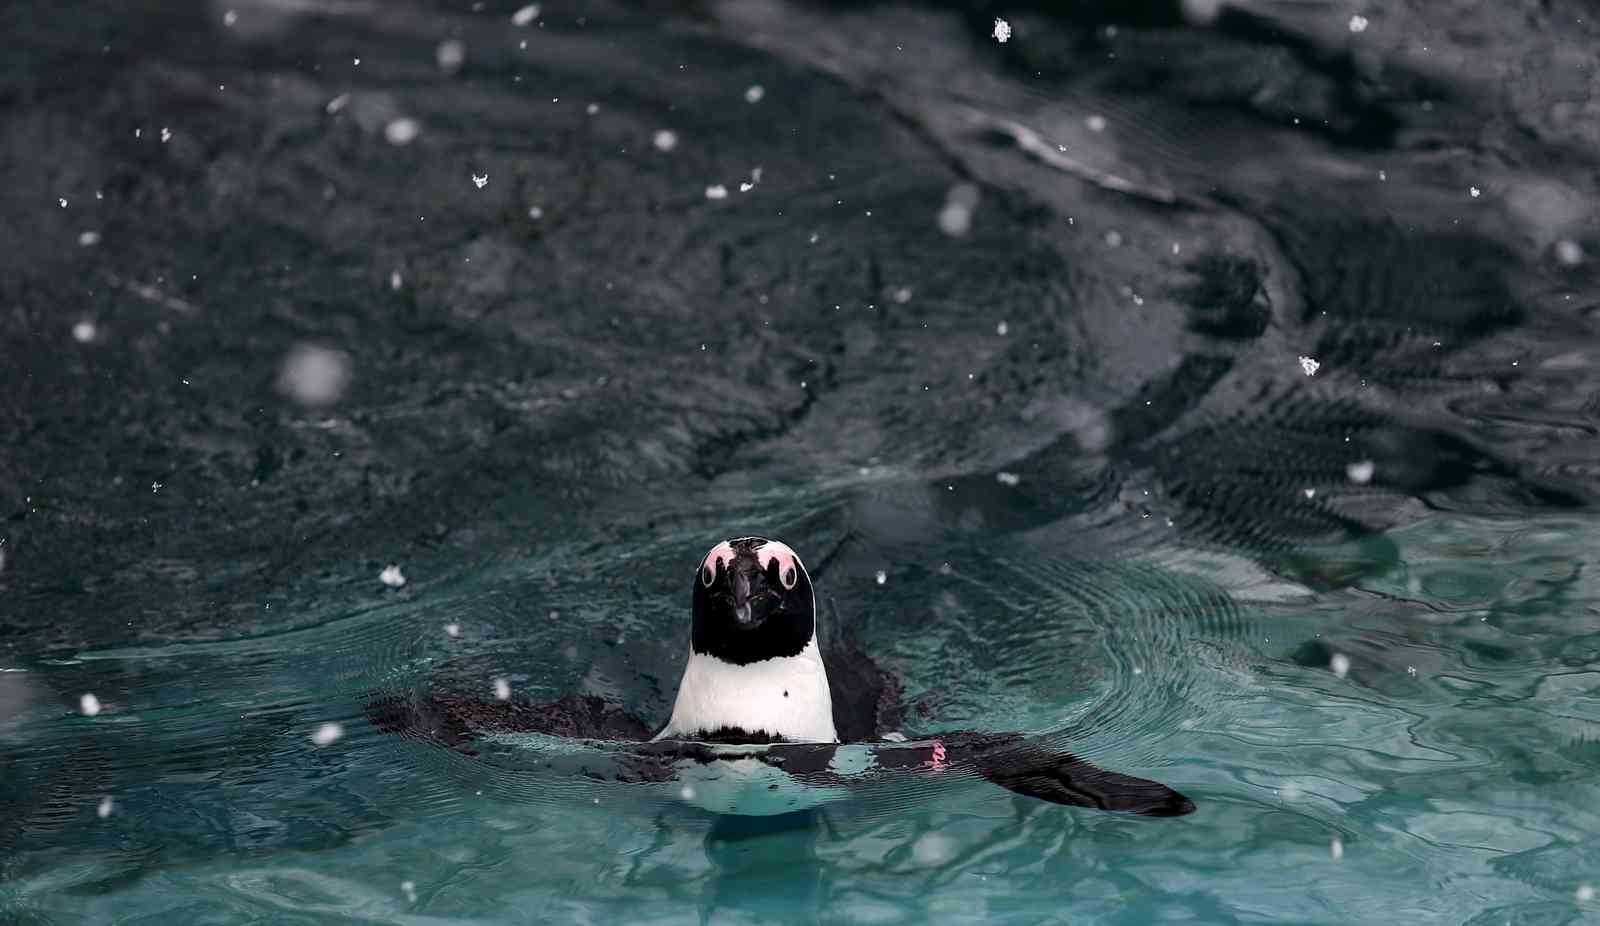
[753,602]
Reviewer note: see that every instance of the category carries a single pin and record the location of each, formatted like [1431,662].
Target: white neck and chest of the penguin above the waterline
[782,698]
